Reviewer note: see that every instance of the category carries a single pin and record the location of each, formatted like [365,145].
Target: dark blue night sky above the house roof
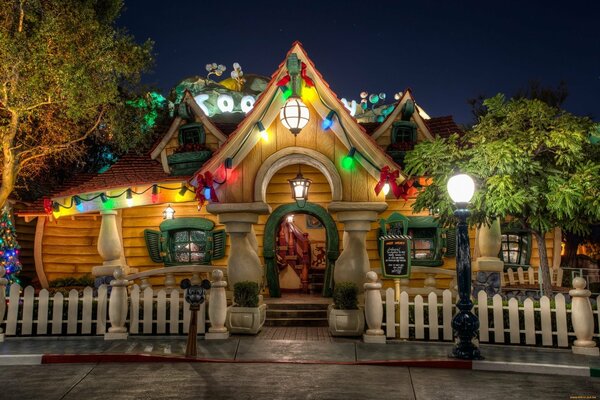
[446,53]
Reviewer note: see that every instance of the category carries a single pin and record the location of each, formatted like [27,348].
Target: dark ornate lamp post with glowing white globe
[465,324]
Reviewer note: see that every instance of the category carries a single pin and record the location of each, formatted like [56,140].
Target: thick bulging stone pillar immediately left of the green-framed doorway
[243,263]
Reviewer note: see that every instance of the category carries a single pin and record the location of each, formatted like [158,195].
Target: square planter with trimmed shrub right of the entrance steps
[345,317]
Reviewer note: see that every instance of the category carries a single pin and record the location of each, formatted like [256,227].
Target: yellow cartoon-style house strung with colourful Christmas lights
[295,196]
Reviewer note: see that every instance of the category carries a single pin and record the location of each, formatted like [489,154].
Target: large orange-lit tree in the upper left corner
[65,71]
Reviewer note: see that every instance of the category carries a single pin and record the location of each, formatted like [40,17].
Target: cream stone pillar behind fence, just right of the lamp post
[488,267]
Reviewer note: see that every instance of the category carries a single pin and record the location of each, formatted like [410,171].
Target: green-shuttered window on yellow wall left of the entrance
[185,241]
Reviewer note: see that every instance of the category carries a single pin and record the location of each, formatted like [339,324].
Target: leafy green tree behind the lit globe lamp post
[534,165]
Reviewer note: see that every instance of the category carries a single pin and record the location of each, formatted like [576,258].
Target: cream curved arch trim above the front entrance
[293,156]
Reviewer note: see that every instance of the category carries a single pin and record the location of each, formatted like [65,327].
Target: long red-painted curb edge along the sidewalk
[127,358]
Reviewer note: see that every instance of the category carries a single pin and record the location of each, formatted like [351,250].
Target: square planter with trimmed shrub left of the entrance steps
[245,315]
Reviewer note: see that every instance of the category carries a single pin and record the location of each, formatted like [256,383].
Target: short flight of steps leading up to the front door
[296,314]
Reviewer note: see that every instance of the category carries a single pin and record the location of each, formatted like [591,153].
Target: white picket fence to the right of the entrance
[432,320]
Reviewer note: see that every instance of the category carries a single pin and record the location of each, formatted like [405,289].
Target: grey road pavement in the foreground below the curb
[281,381]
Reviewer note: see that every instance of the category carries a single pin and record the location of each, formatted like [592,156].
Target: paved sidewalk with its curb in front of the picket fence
[249,349]
